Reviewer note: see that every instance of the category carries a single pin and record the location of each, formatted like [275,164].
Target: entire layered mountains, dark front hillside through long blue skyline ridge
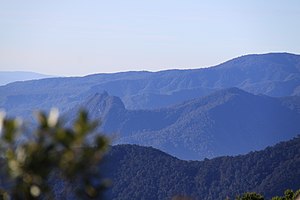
[237,107]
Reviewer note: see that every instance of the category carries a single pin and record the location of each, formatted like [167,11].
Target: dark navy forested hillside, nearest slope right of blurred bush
[146,173]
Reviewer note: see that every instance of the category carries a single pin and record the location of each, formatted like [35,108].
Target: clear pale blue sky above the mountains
[75,38]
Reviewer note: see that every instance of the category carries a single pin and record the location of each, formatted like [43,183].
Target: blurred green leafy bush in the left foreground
[52,150]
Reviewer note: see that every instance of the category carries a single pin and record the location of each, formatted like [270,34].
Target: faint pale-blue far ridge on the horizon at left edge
[13,76]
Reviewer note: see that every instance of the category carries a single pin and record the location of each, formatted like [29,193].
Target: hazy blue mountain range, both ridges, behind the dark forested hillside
[191,114]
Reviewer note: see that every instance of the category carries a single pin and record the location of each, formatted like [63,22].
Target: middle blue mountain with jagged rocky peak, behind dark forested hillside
[227,122]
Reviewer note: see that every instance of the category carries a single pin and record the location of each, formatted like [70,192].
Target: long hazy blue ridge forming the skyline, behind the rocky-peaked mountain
[274,74]
